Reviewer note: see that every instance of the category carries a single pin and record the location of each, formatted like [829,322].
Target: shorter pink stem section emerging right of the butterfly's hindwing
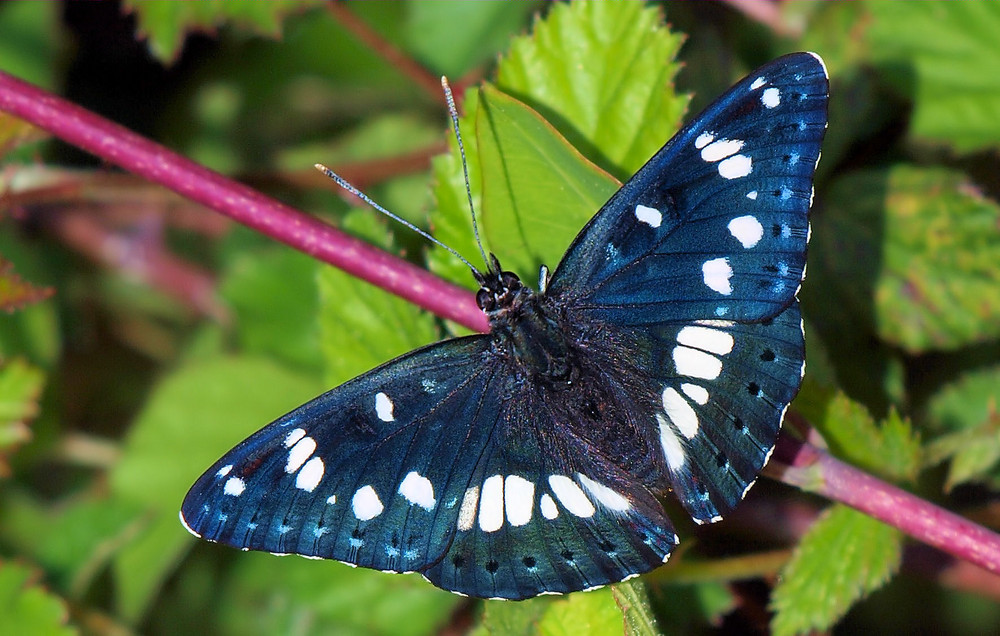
[816,471]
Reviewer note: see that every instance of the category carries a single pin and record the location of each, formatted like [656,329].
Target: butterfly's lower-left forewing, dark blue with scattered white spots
[367,473]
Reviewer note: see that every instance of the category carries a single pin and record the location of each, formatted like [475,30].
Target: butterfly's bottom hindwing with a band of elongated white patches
[548,512]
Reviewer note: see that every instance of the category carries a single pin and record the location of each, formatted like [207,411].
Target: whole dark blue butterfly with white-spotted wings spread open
[659,356]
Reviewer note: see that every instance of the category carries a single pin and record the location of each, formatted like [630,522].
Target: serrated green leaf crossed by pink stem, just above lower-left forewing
[361,325]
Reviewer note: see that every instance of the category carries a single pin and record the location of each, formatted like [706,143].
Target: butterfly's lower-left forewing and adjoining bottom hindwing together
[442,462]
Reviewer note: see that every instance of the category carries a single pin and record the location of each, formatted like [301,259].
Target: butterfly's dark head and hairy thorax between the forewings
[526,328]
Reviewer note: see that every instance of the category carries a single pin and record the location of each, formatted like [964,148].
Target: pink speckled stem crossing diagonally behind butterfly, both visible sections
[804,465]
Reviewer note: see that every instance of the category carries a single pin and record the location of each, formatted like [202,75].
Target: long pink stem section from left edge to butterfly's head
[143,157]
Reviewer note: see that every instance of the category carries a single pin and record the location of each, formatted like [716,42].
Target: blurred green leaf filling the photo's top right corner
[944,55]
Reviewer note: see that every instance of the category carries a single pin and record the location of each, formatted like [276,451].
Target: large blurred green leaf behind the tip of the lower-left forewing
[194,416]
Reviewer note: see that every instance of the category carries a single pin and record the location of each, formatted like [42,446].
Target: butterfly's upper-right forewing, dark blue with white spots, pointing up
[715,224]
